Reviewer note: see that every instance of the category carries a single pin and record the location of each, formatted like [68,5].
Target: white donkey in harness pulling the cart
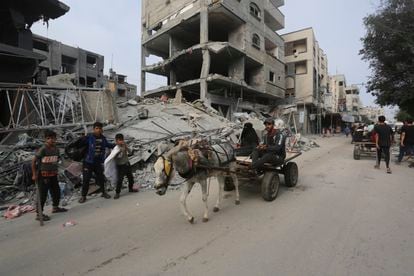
[178,159]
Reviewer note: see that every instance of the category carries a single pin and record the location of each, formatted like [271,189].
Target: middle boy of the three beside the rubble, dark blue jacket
[93,162]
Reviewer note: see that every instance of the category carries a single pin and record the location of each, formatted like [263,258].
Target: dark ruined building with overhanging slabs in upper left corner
[18,61]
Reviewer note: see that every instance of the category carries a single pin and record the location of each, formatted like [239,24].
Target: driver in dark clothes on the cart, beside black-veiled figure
[272,149]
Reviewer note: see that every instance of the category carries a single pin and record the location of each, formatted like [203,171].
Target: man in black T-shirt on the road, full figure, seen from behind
[383,141]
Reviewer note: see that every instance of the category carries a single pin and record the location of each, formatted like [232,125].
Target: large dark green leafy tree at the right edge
[389,49]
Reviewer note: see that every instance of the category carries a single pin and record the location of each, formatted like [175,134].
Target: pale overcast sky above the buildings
[112,28]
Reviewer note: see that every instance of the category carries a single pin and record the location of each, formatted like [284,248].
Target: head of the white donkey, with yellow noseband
[163,173]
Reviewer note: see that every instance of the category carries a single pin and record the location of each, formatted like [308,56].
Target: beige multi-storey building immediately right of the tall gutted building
[306,77]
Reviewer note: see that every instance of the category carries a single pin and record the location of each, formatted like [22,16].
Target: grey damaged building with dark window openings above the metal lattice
[61,58]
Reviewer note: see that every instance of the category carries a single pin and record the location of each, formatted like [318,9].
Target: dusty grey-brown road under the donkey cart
[343,218]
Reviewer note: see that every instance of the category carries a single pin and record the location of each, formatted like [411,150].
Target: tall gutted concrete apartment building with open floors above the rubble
[224,52]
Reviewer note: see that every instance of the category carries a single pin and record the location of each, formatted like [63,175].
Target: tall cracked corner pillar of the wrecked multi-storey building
[205,69]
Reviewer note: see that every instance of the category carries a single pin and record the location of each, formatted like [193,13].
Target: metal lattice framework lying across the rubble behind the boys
[40,107]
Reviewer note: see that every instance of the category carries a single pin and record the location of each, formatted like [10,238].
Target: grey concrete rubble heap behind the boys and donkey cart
[145,123]
